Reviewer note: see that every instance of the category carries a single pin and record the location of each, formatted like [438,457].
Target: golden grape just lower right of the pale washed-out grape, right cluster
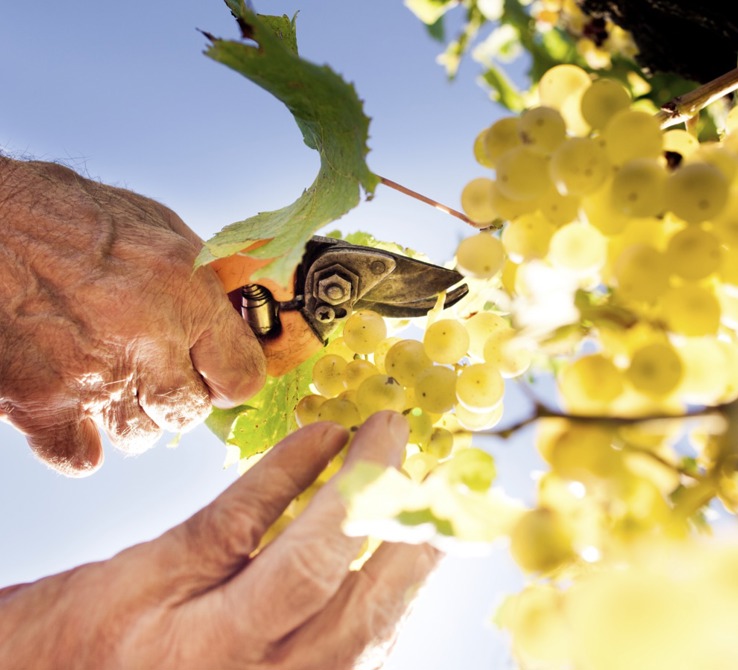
[641,273]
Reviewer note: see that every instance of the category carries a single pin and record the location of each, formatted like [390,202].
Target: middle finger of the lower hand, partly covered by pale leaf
[304,567]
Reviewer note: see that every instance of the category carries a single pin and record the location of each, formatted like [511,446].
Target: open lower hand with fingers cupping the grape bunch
[194,598]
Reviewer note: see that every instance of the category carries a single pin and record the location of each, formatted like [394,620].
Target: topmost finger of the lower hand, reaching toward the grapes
[214,544]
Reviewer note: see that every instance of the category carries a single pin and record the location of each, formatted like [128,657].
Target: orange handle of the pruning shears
[295,341]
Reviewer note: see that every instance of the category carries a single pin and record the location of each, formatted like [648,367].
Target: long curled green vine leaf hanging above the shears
[332,121]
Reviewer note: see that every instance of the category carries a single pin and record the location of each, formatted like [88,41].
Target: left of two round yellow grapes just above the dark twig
[590,383]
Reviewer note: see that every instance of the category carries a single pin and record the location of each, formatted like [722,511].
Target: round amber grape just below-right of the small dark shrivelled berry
[697,192]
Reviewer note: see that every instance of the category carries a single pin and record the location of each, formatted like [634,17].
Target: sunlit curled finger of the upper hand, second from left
[129,428]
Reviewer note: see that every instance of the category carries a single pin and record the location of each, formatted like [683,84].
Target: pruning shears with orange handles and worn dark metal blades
[333,279]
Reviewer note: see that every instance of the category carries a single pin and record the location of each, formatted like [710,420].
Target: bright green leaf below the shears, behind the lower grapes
[269,416]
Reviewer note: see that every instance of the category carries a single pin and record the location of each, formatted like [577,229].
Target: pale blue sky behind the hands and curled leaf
[122,92]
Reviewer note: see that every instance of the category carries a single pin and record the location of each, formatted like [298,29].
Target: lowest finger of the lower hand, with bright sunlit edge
[364,615]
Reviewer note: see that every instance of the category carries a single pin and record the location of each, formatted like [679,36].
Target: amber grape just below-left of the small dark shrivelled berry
[638,188]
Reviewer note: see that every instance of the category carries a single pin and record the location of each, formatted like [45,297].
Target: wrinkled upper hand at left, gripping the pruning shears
[103,321]
